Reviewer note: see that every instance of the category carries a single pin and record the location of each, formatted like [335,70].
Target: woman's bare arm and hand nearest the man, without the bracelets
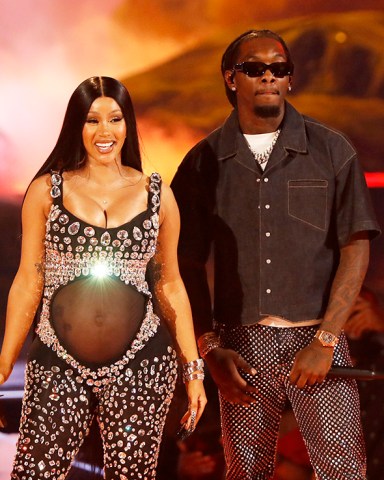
[172,298]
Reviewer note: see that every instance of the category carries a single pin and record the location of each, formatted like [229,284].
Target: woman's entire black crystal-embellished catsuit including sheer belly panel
[100,349]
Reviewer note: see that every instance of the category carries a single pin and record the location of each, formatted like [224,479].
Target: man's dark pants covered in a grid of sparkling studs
[328,414]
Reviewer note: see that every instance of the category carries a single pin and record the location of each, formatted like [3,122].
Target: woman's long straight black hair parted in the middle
[69,151]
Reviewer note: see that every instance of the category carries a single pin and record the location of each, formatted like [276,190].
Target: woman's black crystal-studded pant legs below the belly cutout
[59,406]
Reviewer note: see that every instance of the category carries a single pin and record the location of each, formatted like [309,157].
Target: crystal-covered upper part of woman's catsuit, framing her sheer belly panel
[76,250]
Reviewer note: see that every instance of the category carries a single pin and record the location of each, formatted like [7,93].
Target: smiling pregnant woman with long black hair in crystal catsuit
[92,222]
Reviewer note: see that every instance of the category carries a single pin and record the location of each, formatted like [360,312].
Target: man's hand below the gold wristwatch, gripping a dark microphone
[311,365]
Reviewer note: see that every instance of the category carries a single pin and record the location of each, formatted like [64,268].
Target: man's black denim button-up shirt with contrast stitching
[276,234]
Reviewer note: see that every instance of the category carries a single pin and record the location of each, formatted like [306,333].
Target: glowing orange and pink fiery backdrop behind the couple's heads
[47,47]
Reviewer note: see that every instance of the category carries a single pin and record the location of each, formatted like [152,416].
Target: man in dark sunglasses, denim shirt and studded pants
[283,203]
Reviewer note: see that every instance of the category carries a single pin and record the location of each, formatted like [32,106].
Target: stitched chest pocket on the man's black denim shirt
[307,202]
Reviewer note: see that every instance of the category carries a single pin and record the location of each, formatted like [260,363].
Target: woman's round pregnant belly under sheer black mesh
[96,319]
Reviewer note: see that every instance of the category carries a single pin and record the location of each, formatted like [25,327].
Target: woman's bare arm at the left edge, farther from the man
[25,293]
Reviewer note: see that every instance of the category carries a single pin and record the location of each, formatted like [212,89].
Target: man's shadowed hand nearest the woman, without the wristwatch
[224,365]
